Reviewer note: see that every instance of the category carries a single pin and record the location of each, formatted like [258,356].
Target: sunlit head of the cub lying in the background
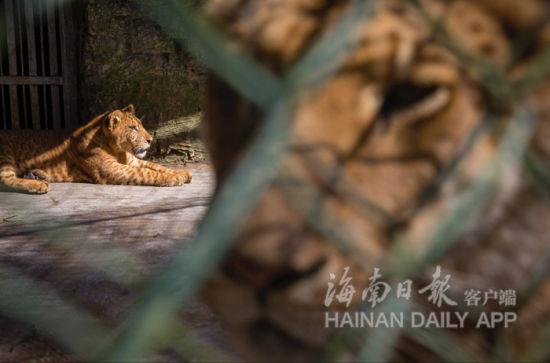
[126,132]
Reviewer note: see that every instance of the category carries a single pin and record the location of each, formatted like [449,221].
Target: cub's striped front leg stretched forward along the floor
[112,172]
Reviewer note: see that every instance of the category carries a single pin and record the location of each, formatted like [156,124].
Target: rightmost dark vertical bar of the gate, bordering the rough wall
[68,58]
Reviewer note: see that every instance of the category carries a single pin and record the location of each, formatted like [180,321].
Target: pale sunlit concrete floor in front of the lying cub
[93,244]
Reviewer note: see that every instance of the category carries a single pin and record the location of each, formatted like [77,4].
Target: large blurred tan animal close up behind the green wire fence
[366,146]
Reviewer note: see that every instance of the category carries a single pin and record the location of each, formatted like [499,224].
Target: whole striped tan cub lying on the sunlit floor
[107,150]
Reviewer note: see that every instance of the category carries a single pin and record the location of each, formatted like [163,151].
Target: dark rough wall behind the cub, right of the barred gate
[125,59]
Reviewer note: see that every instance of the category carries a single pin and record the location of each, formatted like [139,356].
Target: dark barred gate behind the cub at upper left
[37,65]
